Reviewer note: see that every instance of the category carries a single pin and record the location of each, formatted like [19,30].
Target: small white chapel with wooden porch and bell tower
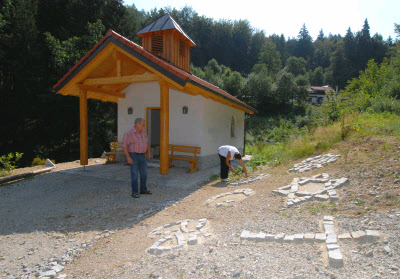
[153,81]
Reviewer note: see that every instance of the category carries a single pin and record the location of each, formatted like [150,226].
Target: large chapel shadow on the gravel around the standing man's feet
[94,198]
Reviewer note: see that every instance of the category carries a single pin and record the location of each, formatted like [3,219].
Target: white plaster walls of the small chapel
[207,124]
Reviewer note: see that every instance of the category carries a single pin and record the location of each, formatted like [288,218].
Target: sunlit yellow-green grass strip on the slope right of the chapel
[299,145]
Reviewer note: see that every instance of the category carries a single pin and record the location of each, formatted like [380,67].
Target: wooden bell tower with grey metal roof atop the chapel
[166,39]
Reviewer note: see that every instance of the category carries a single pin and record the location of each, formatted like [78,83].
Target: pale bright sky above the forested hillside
[288,16]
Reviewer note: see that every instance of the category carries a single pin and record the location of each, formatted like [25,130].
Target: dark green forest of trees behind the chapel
[40,40]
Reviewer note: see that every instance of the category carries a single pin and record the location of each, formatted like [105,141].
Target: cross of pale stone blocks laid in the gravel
[329,237]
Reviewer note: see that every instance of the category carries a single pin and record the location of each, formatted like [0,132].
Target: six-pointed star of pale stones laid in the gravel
[328,192]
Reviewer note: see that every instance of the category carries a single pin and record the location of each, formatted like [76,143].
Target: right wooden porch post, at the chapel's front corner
[164,127]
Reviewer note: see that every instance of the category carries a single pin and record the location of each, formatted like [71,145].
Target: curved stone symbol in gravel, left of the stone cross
[157,248]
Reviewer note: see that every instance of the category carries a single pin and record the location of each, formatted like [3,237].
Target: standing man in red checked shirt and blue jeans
[136,149]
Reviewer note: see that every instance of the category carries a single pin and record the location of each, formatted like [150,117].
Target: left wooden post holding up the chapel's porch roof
[83,133]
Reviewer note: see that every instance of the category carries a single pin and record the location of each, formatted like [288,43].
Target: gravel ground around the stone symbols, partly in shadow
[62,226]
